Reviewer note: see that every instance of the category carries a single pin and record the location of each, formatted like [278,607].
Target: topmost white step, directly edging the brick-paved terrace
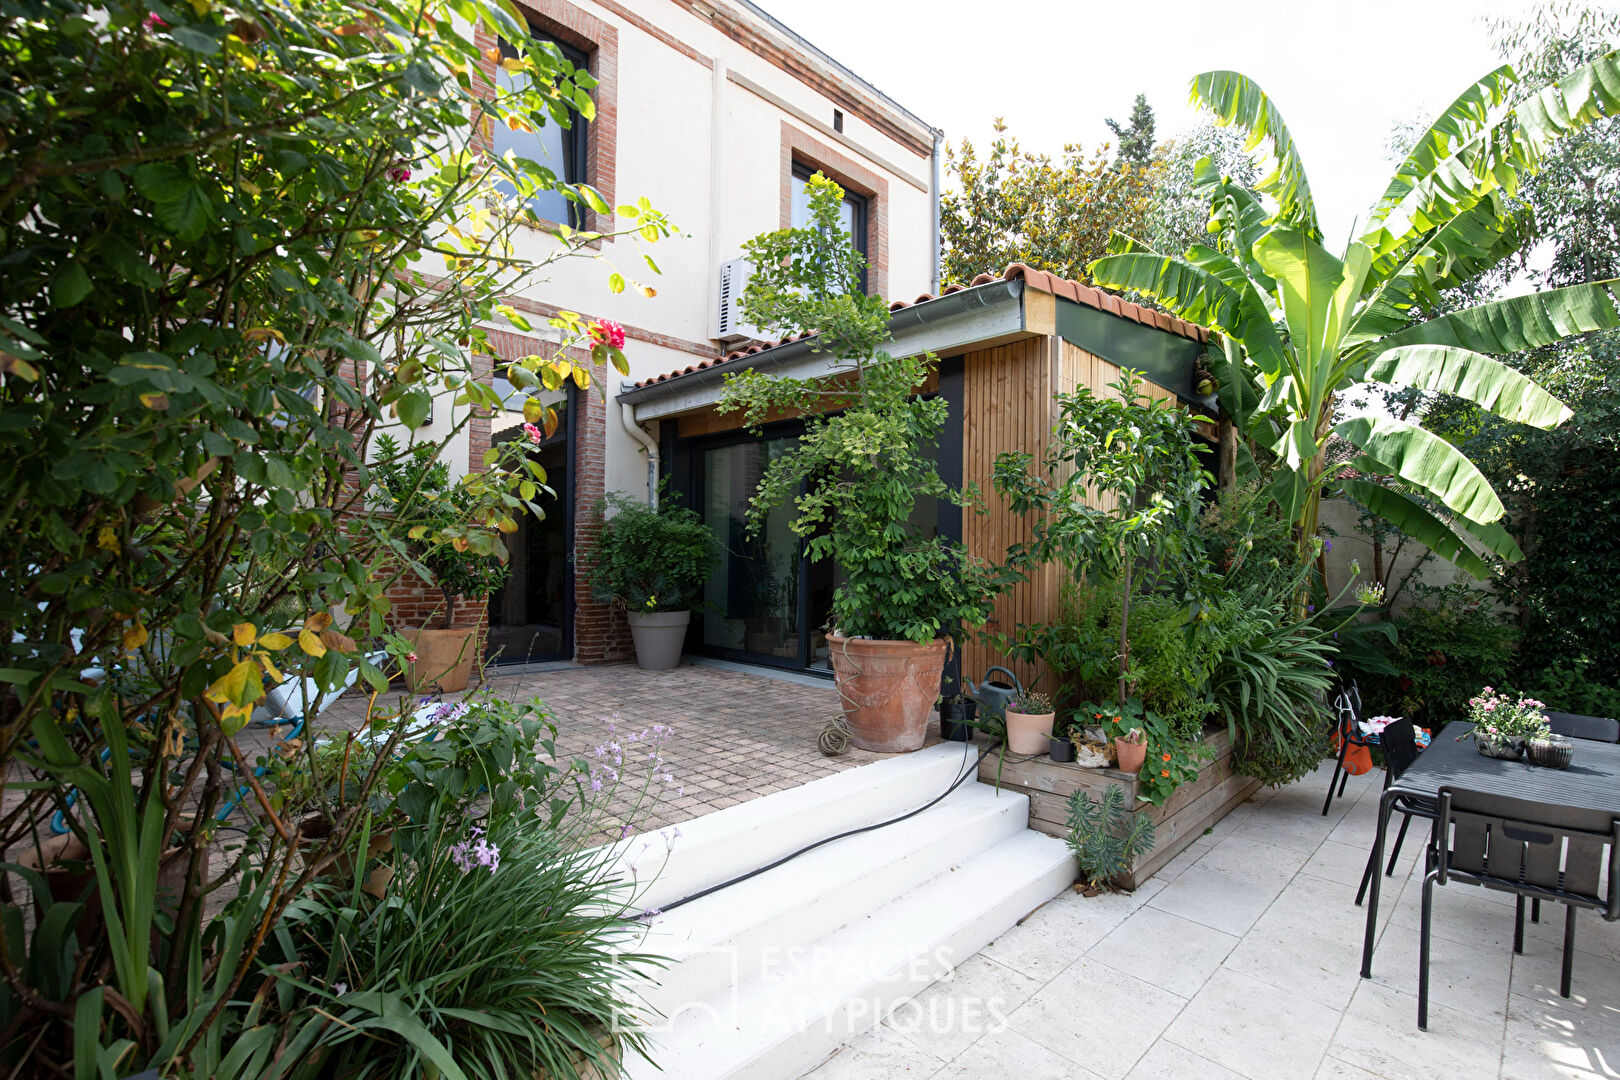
[722,846]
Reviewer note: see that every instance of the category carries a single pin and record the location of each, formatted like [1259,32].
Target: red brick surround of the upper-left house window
[600,45]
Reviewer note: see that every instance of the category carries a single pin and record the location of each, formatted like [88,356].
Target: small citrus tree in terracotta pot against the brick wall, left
[417,488]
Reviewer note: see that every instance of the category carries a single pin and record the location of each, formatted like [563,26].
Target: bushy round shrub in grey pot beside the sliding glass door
[652,563]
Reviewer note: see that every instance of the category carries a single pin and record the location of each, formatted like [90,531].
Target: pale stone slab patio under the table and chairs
[1240,961]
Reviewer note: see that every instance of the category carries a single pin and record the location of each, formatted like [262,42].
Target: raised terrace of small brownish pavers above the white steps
[738,734]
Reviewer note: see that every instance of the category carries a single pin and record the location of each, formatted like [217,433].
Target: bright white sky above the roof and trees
[1341,72]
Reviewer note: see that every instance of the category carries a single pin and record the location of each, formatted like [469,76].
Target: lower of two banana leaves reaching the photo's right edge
[1509,326]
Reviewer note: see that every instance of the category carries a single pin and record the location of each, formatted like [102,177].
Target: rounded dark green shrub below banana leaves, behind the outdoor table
[1451,645]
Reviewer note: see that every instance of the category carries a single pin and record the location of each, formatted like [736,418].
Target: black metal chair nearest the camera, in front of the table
[1527,849]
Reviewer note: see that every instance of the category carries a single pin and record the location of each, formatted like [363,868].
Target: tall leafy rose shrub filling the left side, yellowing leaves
[241,242]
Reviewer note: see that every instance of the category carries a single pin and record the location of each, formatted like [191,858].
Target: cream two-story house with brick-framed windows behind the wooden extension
[717,113]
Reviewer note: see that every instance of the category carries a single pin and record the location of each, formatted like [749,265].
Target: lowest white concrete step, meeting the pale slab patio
[811,998]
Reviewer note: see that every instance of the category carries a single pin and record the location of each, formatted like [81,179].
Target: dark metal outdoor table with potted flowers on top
[1452,760]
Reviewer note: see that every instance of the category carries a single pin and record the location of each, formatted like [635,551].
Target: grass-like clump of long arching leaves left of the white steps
[464,971]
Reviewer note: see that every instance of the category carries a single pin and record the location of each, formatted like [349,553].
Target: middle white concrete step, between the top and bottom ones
[733,935]
